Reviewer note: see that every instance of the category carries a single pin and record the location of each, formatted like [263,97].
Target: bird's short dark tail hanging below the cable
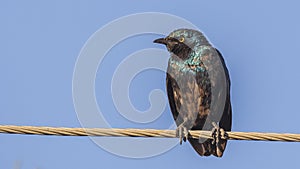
[207,148]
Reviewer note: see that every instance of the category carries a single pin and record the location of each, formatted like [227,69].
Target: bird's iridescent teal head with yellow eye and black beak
[181,42]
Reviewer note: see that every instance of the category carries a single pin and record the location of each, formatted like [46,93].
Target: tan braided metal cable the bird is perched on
[115,132]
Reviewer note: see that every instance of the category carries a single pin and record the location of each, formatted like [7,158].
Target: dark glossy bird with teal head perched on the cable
[198,89]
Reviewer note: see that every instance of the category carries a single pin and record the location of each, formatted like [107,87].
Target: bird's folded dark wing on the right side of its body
[220,108]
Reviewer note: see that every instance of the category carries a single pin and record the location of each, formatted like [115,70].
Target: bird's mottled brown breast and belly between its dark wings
[190,88]
